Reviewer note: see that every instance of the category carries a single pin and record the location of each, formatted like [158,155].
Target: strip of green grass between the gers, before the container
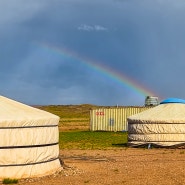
[92,140]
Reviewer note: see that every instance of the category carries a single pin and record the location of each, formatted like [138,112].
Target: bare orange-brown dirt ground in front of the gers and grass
[131,166]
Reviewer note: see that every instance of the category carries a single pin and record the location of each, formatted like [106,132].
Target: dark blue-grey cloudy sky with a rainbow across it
[104,52]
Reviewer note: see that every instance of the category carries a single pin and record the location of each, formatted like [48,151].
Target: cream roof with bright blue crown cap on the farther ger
[169,111]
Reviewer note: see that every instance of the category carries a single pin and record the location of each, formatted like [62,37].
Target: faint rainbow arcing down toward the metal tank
[100,68]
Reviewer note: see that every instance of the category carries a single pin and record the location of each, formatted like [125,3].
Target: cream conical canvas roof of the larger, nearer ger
[16,114]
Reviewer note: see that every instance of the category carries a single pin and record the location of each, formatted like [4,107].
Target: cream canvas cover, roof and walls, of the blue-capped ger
[163,125]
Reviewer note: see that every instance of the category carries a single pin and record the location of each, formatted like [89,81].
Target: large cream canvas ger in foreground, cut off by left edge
[29,141]
